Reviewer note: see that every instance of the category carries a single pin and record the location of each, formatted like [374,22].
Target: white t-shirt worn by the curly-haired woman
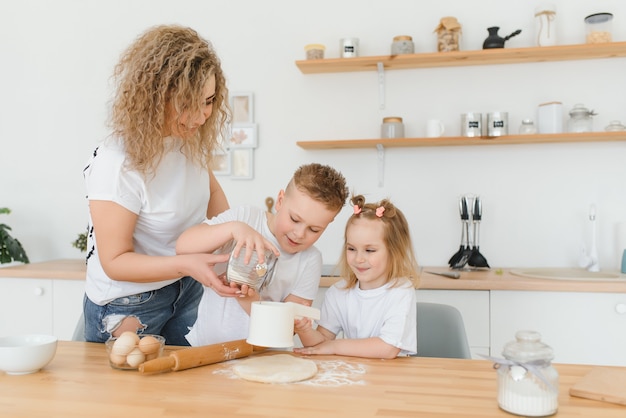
[166,204]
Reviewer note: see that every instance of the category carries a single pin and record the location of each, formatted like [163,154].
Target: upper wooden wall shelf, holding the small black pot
[465,58]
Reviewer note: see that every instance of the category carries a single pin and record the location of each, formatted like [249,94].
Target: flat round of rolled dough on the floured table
[279,368]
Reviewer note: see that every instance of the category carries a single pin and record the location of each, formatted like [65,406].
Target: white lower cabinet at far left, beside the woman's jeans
[37,305]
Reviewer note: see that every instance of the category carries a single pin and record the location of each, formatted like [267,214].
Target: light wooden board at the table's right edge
[602,384]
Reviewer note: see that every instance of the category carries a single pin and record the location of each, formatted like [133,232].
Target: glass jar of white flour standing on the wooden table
[528,385]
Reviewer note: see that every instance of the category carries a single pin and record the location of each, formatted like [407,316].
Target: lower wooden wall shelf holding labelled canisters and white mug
[461,140]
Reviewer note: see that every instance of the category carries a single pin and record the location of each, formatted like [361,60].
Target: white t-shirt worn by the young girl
[386,312]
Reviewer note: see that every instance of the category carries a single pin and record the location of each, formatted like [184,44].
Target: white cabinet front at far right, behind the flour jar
[582,328]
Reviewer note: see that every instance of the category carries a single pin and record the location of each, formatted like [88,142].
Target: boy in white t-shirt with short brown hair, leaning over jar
[310,202]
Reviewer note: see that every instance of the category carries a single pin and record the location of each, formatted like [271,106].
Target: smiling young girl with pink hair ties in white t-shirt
[375,307]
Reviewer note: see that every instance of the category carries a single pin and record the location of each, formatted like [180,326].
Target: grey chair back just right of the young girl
[441,332]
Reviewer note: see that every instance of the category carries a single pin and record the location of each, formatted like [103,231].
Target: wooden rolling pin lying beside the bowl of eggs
[187,358]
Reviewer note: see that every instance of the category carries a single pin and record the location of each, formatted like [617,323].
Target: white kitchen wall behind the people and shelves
[57,58]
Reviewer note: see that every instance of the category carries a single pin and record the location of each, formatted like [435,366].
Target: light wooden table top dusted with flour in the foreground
[79,383]
